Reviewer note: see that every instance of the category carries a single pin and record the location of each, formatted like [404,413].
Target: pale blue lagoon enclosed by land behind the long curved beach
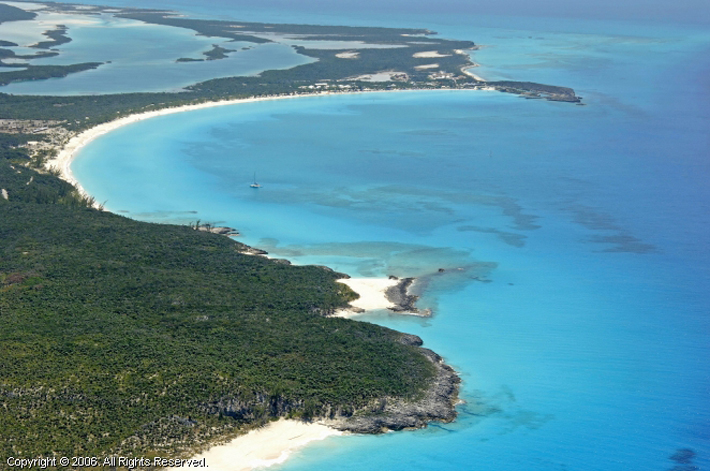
[140,57]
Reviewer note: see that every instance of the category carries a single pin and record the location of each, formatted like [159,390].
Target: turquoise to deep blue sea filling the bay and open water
[575,297]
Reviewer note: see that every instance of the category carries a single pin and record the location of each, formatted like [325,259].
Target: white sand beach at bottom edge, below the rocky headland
[264,447]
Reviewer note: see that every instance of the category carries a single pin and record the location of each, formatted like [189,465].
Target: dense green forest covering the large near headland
[127,337]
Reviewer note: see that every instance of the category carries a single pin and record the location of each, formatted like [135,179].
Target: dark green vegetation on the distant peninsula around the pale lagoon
[327,68]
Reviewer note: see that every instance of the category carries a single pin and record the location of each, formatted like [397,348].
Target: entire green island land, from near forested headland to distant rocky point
[129,338]
